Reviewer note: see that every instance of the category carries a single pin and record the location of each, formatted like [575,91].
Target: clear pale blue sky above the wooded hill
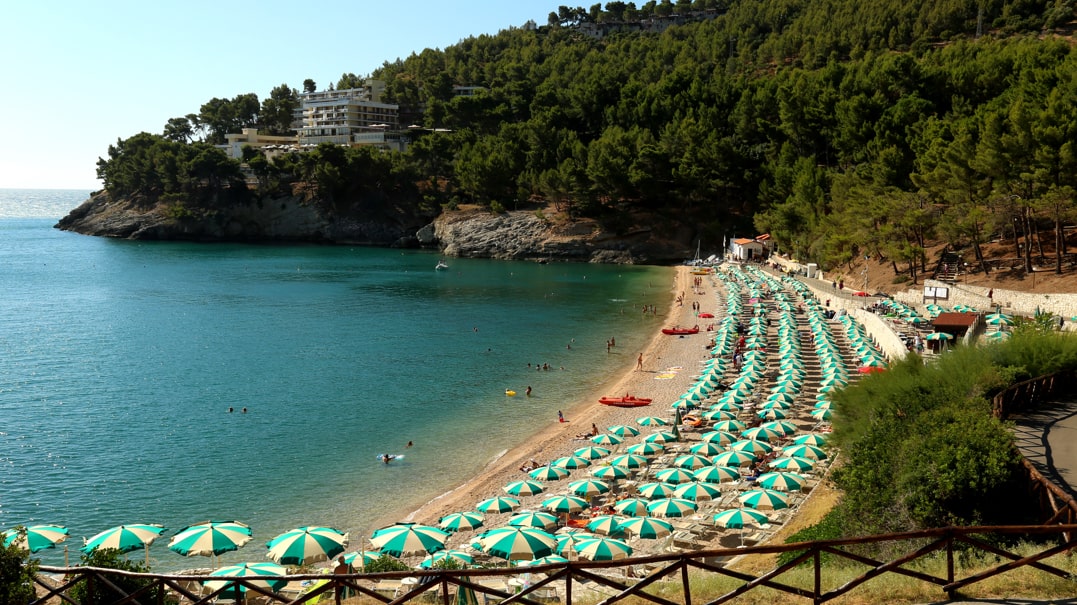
[79,75]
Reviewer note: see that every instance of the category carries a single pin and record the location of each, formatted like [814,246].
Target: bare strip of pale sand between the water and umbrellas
[560,440]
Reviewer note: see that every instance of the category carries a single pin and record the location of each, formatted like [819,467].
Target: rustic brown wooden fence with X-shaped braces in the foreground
[922,544]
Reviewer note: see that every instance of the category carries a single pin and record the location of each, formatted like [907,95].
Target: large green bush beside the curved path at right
[921,447]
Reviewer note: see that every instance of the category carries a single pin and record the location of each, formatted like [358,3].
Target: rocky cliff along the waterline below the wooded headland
[519,235]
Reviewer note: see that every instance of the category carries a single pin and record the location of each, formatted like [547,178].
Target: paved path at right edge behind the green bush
[1048,439]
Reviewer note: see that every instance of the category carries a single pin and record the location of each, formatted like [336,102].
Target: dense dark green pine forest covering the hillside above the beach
[843,129]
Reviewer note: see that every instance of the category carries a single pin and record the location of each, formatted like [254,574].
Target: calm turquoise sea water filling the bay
[174,383]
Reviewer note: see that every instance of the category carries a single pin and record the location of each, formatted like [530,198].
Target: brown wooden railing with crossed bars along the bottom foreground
[443,585]
